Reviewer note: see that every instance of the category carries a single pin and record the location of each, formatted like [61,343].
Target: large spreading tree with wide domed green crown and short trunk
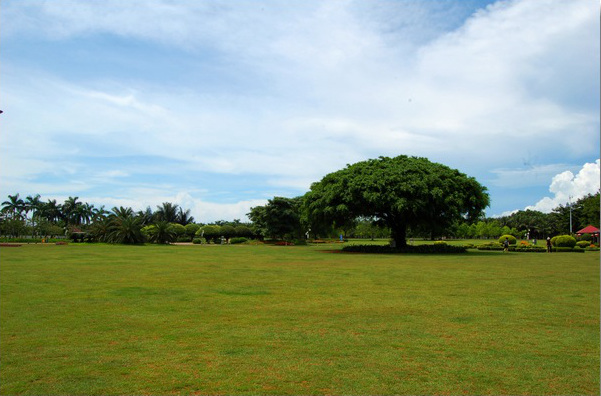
[402,192]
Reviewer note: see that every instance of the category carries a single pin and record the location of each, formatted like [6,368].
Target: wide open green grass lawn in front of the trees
[100,319]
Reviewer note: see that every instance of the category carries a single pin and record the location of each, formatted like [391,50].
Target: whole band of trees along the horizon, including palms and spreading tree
[398,198]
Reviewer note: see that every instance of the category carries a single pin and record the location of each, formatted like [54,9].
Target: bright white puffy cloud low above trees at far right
[568,187]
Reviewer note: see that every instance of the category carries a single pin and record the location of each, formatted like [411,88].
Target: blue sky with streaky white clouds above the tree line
[221,105]
